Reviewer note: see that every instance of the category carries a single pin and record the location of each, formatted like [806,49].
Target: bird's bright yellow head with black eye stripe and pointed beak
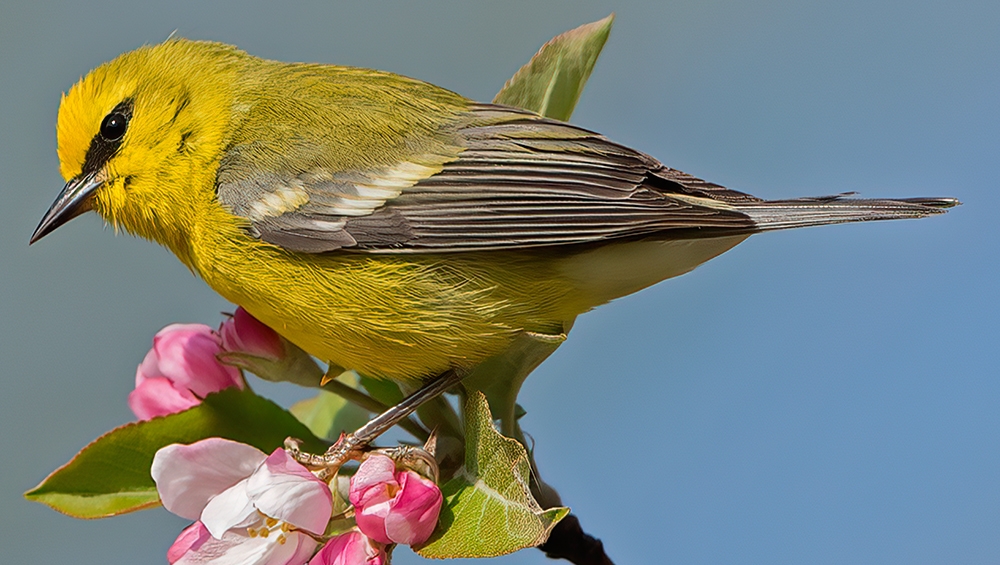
[138,135]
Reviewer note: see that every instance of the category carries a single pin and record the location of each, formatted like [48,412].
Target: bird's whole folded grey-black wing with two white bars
[499,178]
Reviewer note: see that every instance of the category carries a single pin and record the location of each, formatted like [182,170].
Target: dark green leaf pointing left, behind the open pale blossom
[111,475]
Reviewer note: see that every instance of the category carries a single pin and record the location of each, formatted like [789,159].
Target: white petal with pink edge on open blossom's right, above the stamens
[282,488]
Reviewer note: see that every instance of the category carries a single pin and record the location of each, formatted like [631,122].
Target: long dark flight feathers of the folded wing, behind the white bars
[525,181]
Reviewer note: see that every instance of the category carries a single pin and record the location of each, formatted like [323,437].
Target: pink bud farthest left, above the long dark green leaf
[180,370]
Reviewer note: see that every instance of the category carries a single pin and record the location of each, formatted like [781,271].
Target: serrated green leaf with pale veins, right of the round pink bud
[489,510]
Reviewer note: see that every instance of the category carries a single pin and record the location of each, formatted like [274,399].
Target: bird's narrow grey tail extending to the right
[817,211]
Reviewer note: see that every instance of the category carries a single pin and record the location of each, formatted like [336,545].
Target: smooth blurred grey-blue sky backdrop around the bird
[827,395]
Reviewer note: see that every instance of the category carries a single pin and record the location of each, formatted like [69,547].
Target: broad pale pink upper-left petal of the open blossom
[188,476]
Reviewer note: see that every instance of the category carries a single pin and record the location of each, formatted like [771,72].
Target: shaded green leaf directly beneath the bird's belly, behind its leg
[501,377]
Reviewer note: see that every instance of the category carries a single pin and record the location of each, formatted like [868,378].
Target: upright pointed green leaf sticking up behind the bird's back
[551,82]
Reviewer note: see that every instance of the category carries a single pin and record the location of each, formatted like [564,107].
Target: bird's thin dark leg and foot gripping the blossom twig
[349,446]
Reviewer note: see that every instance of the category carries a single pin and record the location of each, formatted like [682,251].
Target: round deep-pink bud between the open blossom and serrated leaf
[394,506]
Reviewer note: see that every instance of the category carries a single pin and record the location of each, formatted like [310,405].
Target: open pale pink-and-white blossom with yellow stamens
[251,508]
